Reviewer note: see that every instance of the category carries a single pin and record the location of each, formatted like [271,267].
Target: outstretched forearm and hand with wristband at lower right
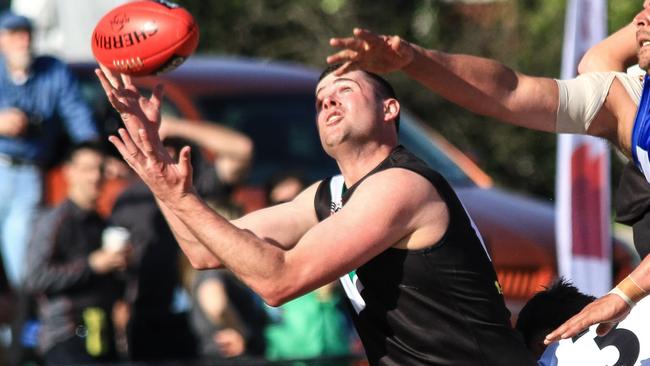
[609,309]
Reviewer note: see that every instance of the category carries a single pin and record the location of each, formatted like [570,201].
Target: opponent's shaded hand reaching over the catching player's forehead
[371,52]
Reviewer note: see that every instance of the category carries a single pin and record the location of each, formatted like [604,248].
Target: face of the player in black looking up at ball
[346,108]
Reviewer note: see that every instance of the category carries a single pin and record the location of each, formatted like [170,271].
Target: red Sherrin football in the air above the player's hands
[145,37]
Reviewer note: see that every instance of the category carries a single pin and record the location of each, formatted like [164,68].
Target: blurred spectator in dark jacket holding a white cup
[74,277]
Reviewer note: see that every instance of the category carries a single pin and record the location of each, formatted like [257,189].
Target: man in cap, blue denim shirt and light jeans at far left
[39,100]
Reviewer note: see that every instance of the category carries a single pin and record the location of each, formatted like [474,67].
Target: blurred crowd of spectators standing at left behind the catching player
[96,275]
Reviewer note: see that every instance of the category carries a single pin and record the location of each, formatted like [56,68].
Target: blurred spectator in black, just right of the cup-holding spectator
[148,325]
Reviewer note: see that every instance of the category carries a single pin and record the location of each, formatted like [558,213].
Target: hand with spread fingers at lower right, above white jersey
[607,311]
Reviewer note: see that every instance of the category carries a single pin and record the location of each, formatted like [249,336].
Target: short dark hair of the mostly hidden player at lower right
[550,308]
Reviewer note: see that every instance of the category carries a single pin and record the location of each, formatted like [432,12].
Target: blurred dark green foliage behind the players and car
[524,34]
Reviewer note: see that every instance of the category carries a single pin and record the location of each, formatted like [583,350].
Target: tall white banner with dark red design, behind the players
[583,229]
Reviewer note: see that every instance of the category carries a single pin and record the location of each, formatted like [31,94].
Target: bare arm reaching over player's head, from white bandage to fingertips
[481,85]
